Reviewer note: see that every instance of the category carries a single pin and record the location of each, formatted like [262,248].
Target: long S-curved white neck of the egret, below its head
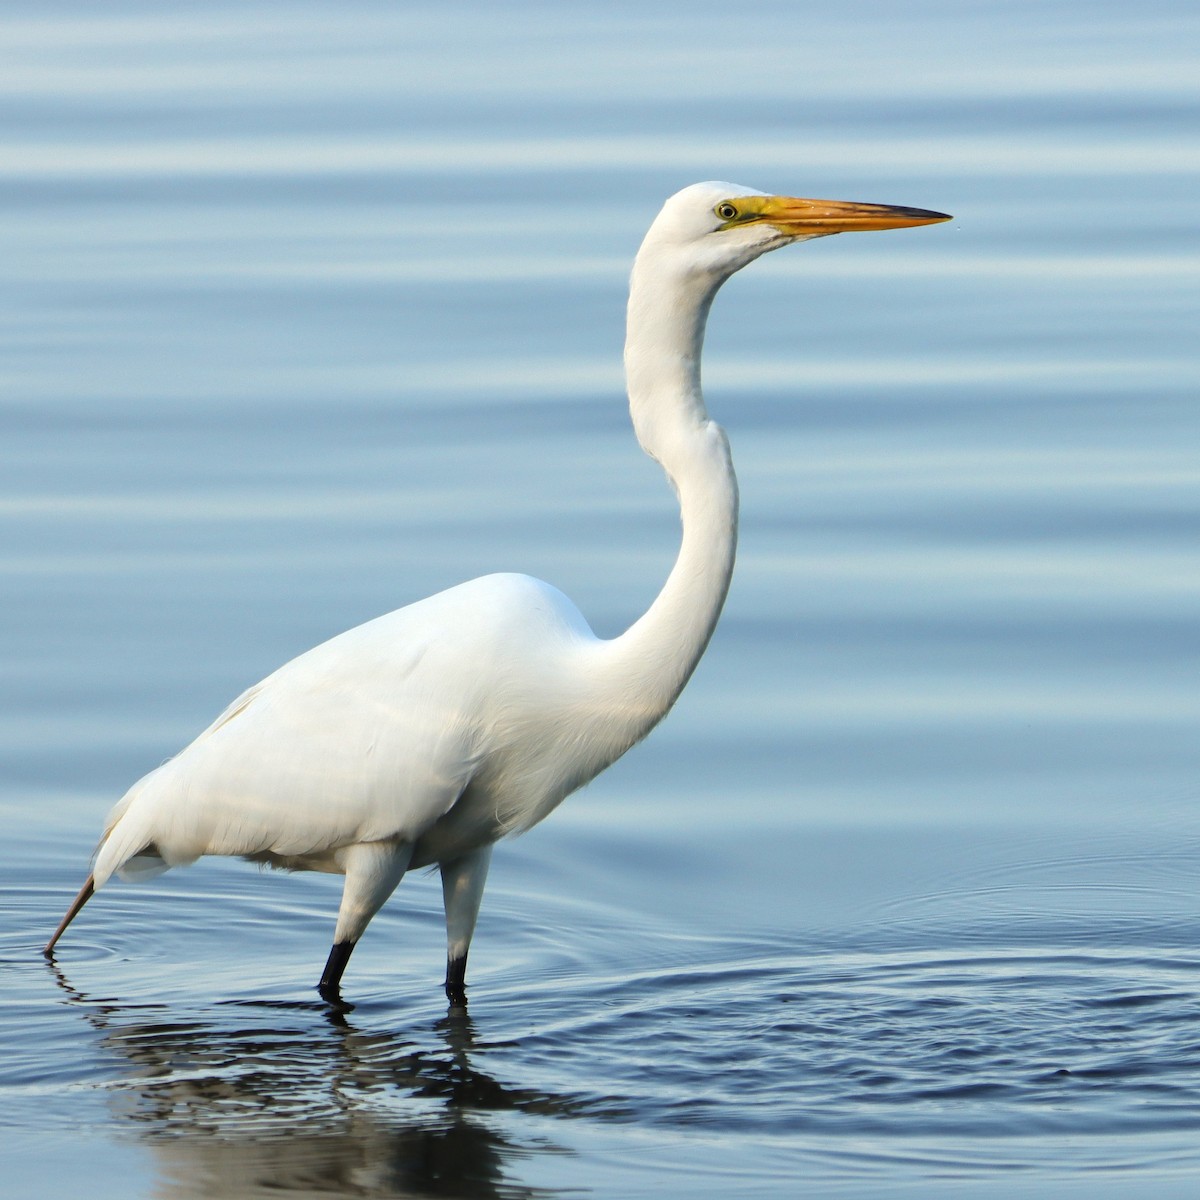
[650,664]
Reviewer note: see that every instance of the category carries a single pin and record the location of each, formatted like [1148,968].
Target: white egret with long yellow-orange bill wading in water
[425,736]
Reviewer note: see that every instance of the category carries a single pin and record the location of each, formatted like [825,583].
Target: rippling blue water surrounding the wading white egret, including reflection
[309,311]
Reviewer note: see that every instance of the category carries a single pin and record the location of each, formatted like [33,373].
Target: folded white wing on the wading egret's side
[353,742]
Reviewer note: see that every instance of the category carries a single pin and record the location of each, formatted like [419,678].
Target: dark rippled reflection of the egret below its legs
[278,1099]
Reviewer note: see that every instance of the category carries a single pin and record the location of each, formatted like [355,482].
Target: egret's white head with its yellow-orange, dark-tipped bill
[717,229]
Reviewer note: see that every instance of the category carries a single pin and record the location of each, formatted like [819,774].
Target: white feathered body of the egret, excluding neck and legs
[377,735]
